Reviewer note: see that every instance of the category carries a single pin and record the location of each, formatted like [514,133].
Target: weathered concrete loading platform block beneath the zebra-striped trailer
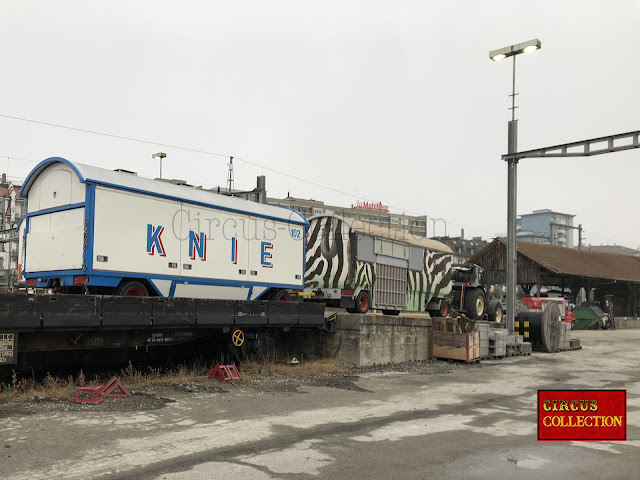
[370,339]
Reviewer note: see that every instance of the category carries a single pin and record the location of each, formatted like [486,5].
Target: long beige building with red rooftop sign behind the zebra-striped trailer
[369,212]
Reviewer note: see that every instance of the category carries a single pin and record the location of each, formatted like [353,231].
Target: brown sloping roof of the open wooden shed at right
[567,261]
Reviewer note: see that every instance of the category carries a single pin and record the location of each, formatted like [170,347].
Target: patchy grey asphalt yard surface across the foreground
[475,422]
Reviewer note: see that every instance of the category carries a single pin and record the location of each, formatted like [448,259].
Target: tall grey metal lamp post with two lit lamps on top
[512,176]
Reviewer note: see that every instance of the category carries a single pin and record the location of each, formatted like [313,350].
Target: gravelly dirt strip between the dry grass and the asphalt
[157,396]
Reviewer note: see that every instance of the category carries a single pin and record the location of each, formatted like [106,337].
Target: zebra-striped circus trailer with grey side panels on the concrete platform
[361,266]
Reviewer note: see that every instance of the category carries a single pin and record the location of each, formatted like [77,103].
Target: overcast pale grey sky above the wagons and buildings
[390,101]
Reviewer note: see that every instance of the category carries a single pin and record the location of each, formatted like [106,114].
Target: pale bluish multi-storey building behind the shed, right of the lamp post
[546,226]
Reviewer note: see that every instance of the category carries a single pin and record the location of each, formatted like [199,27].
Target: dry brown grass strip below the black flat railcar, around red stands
[56,388]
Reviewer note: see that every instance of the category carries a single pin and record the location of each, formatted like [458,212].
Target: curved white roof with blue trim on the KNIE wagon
[134,183]
